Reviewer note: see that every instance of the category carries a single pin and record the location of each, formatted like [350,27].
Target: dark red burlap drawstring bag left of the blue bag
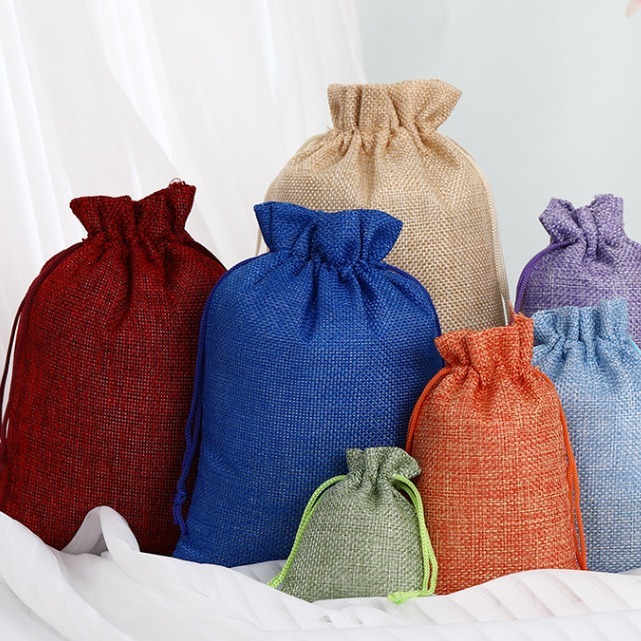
[103,370]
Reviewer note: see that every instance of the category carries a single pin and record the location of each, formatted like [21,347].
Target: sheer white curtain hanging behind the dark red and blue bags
[120,96]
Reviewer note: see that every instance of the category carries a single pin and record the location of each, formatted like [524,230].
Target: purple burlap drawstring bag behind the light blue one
[590,258]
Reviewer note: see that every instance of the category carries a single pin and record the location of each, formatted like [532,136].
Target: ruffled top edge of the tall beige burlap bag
[378,107]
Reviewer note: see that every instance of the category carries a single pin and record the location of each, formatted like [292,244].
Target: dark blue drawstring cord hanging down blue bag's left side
[193,426]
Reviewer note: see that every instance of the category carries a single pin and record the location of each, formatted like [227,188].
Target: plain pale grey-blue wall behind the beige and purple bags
[551,103]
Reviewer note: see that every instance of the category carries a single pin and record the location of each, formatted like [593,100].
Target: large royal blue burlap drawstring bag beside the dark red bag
[313,348]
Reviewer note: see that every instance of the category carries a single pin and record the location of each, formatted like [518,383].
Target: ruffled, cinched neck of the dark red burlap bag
[152,219]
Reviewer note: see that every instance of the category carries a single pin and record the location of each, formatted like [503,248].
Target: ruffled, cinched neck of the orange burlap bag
[506,349]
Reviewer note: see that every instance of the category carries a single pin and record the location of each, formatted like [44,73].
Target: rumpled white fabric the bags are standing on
[102,588]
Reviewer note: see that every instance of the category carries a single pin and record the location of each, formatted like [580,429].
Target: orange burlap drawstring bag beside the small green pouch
[499,482]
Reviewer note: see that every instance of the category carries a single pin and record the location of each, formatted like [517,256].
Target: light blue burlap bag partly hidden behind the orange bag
[596,367]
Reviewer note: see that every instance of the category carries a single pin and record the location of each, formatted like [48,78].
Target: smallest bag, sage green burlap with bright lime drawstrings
[363,534]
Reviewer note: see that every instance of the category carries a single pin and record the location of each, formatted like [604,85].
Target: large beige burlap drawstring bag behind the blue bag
[384,152]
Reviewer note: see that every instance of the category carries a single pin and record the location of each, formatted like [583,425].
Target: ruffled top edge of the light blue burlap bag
[607,321]
